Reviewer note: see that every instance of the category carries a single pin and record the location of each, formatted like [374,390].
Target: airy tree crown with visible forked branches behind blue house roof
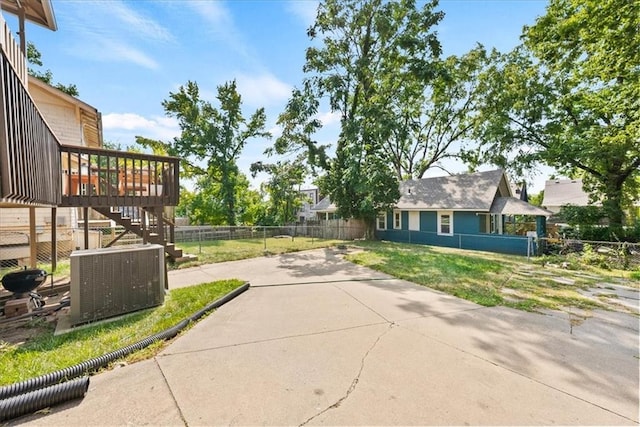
[428,122]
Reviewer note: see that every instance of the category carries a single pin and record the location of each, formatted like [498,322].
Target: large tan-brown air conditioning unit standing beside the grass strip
[112,281]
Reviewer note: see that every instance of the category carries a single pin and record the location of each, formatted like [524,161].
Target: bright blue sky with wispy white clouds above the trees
[126,56]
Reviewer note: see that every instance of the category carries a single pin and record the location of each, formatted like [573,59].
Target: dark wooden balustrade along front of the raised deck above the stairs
[94,177]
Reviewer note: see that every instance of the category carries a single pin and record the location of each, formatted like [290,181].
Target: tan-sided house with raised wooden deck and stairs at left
[52,163]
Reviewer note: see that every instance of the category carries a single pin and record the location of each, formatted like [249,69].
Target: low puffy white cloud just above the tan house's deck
[128,125]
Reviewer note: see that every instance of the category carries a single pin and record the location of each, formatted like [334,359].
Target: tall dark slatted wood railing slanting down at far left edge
[29,164]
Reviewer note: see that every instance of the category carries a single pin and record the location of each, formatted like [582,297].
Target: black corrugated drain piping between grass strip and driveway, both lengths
[12,395]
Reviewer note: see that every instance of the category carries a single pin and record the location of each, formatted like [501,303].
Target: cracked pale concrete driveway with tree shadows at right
[317,340]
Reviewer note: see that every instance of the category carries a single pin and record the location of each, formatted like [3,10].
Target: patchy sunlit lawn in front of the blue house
[489,279]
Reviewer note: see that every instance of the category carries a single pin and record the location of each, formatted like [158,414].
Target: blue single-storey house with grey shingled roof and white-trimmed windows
[471,211]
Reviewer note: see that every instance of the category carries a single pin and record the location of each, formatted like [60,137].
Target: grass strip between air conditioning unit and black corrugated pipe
[45,353]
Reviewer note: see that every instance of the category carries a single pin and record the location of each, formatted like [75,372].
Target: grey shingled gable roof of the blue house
[474,191]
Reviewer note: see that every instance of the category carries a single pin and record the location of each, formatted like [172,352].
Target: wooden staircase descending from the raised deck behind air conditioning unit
[149,224]
